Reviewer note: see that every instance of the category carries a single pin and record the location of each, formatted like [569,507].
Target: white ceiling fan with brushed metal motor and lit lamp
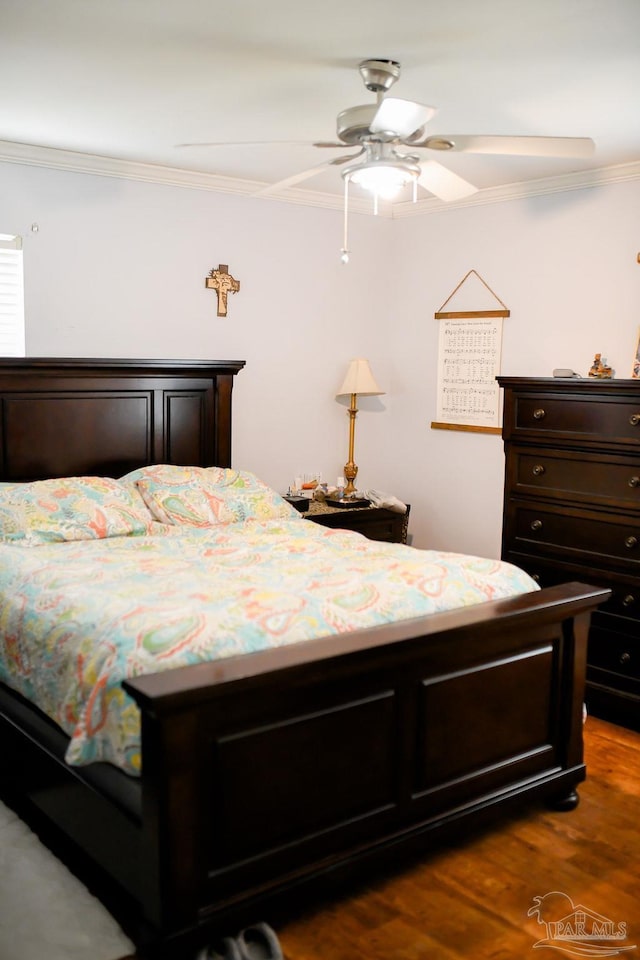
[385,130]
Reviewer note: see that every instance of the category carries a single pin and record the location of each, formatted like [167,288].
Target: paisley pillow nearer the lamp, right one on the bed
[205,496]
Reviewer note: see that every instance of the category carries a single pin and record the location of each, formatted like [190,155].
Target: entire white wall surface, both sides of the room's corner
[117,269]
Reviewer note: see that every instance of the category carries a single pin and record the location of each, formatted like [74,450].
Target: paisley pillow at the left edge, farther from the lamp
[70,508]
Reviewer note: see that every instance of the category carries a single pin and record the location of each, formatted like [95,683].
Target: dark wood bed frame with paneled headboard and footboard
[270,776]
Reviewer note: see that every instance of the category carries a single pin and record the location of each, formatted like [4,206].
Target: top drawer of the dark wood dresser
[575,417]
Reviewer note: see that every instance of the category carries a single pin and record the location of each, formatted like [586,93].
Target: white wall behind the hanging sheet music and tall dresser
[565,266]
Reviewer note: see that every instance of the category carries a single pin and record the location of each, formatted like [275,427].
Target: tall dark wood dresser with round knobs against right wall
[572,512]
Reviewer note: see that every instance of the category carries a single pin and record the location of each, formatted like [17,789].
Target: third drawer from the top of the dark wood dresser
[583,536]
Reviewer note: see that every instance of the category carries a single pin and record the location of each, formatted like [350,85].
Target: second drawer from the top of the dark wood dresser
[586,477]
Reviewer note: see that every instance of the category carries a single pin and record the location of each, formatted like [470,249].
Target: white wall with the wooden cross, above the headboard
[117,269]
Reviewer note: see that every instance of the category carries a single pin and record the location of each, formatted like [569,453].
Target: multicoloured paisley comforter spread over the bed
[78,617]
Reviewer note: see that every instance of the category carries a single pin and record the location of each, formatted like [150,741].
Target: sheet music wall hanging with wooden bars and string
[469,351]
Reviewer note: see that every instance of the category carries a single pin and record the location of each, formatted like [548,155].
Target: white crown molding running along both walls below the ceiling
[75,162]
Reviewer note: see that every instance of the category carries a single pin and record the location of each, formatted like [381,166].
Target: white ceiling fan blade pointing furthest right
[512,146]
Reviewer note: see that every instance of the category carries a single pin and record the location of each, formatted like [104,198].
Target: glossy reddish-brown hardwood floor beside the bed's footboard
[471,899]
